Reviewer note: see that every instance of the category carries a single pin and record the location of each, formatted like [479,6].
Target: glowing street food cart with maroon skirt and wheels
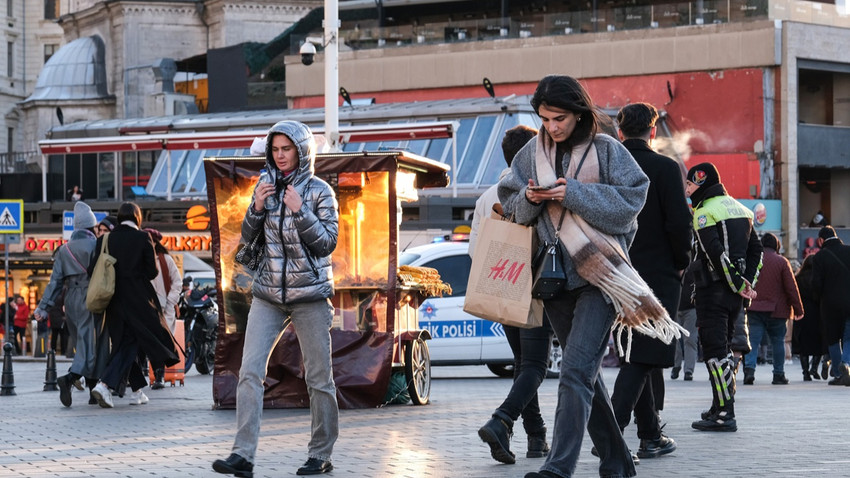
[375,328]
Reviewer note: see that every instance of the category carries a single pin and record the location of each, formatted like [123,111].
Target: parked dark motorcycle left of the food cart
[200,313]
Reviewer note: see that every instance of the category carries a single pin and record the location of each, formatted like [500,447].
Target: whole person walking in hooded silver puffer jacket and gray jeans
[294,282]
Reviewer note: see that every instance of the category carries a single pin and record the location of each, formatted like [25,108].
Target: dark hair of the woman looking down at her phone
[566,93]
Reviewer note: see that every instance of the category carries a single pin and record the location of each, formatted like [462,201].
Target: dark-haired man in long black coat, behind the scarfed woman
[659,253]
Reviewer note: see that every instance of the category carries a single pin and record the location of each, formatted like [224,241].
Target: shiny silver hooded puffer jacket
[297,264]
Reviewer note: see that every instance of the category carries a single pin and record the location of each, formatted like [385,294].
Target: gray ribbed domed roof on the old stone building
[76,72]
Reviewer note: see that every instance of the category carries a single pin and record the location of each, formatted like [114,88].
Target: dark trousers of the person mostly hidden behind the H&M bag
[531,358]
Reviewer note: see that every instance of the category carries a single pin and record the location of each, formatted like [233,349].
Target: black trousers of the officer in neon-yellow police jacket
[717,309]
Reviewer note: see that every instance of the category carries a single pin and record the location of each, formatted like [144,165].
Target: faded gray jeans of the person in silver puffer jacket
[266,322]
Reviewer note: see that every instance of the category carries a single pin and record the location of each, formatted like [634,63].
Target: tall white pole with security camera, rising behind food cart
[332,74]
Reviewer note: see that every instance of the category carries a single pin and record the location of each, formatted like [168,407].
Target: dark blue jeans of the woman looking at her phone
[582,322]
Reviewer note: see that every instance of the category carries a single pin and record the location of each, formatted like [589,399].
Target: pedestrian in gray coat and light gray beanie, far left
[70,273]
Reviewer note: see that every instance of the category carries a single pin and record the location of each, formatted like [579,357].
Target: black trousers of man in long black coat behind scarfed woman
[637,380]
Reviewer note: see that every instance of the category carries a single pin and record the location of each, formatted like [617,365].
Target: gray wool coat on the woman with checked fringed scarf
[611,205]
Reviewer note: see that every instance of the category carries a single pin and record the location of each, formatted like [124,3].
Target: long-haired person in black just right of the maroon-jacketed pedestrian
[807,337]
